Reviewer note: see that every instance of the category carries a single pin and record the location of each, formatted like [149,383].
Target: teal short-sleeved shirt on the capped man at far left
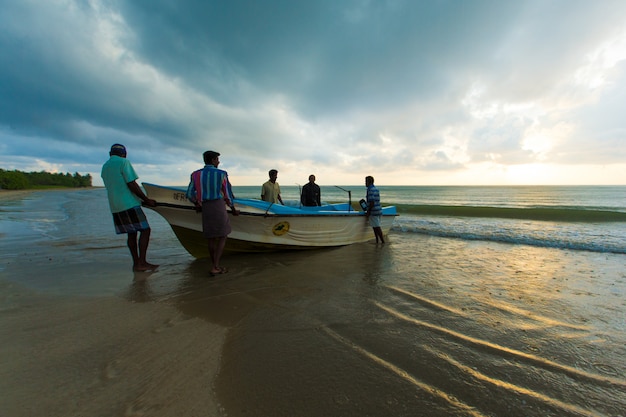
[117,172]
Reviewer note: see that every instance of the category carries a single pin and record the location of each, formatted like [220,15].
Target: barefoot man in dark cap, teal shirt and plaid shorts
[125,198]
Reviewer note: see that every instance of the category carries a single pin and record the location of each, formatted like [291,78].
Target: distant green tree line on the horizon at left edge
[18,180]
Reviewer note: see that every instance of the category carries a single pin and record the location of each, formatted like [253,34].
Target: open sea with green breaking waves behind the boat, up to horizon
[590,218]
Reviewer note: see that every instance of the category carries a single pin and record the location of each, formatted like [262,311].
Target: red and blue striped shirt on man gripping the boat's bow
[209,183]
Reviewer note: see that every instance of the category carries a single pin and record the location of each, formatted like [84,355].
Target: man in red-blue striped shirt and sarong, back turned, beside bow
[210,190]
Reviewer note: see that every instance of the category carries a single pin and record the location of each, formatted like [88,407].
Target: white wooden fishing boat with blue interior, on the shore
[263,227]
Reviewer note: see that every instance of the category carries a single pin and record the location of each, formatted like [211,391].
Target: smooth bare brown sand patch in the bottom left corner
[104,357]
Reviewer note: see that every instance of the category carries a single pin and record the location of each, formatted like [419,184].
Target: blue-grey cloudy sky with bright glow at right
[441,92]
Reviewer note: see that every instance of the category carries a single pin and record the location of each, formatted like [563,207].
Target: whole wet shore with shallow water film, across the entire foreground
[420,326]
